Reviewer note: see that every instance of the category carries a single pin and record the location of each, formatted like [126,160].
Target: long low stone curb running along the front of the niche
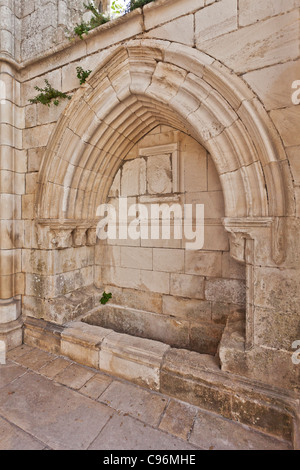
[189,376]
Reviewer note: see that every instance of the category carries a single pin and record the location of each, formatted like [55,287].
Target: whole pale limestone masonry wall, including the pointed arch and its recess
[218,77]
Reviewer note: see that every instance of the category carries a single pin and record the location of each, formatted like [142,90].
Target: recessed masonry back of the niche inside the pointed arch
[161,290]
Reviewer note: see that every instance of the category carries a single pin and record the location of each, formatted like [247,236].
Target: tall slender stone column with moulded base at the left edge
[12,182]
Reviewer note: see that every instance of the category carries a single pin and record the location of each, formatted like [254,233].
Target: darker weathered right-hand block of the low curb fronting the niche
[196,380]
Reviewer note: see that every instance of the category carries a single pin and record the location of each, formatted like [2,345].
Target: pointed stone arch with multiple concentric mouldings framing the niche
[143,84]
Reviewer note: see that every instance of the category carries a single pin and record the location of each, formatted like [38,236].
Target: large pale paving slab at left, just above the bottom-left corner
[61,418]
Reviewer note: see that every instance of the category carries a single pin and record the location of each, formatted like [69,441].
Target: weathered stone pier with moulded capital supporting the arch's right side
[259,345]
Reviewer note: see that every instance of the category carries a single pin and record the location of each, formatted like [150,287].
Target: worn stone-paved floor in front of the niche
[49,402]
